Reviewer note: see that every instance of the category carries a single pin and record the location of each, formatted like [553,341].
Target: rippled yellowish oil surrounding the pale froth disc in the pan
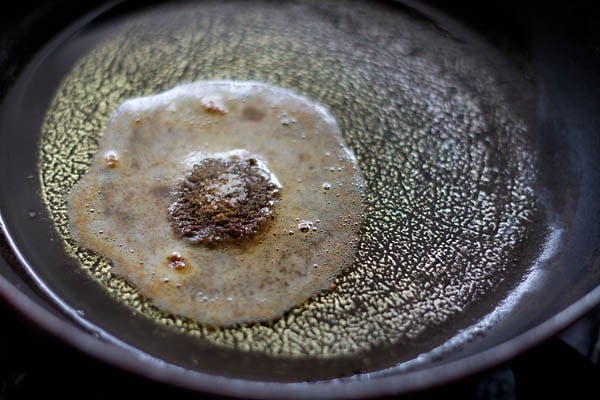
[438,124]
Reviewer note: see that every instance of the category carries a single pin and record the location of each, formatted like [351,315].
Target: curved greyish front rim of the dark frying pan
[358,386]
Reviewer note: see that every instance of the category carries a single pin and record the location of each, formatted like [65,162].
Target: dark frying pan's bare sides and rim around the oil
[561,284]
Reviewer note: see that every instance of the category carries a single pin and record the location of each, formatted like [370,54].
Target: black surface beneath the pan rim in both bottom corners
[34,365]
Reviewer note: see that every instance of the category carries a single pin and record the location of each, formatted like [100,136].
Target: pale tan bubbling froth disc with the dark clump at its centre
[209,232]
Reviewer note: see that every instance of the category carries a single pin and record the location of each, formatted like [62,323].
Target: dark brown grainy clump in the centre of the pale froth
[223,199]
